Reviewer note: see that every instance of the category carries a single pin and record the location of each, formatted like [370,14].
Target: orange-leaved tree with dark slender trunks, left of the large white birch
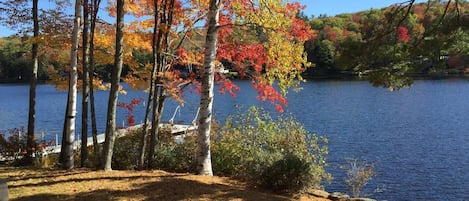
[171,23]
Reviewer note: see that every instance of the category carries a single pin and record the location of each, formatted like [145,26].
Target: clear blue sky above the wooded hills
[315,7]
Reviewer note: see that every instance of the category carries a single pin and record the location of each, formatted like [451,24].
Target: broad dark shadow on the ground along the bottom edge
[174,187]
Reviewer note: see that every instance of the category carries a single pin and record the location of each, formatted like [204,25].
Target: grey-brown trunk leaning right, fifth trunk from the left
[113,94]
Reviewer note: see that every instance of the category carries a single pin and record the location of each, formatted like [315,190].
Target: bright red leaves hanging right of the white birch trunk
[250,59]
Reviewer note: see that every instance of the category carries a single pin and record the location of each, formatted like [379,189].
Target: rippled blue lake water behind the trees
[418,138]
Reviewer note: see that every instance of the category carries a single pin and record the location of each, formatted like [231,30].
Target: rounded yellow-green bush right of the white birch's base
[275,153]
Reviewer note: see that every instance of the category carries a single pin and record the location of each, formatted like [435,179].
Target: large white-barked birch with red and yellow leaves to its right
[265,42]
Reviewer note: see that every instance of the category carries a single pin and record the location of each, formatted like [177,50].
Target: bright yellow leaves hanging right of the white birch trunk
[285,55]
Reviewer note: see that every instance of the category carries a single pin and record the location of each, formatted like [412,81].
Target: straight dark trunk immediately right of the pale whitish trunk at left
[85,89]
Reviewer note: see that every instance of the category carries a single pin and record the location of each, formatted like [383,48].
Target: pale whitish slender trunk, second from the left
[69,138]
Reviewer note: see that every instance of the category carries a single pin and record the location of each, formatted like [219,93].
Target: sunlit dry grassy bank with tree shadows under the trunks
[83,184]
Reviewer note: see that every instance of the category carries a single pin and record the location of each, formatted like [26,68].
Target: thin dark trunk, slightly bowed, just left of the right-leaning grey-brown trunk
[94,130]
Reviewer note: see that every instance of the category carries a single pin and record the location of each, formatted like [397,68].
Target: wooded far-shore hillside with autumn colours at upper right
[405,39]
